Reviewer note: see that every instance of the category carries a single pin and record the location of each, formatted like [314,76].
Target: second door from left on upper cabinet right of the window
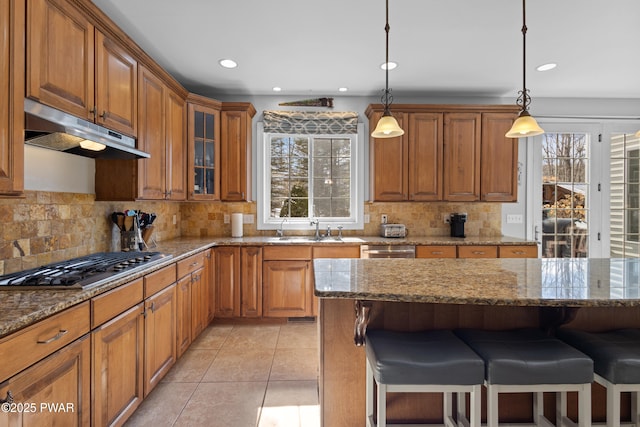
[425,156]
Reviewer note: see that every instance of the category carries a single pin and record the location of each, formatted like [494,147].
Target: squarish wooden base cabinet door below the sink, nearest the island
[287,291]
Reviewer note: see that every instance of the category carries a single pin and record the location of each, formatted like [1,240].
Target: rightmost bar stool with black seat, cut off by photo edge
[616,362]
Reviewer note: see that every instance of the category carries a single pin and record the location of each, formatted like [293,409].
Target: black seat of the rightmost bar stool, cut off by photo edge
[615,354]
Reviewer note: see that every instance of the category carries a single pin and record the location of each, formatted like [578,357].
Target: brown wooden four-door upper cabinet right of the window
[448,153]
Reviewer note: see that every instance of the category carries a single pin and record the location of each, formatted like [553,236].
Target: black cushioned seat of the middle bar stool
[527,357]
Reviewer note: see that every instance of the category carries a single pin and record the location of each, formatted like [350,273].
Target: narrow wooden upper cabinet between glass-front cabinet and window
[235,151]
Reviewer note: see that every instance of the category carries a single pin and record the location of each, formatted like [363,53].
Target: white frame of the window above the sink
[263,187]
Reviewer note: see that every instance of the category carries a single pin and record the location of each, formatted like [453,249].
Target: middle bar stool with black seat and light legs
[528,360]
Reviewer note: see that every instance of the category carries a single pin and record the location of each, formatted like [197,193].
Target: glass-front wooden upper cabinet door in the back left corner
[204,152]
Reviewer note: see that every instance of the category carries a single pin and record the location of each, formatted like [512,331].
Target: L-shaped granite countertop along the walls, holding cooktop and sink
[20,308]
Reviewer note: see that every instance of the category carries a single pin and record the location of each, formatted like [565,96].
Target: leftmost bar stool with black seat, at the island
[429,361]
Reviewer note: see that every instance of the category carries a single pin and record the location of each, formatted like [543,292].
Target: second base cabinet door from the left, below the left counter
[117,375]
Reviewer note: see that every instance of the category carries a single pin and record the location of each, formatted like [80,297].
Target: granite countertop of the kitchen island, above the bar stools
[568,282]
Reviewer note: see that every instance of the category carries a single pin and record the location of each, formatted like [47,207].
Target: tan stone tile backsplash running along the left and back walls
[45,227]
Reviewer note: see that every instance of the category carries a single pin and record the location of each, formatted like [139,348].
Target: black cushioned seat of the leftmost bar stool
[428,357]
